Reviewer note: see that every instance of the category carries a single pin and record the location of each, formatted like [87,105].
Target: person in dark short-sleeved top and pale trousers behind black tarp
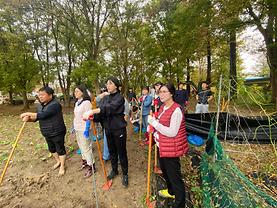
[203,98]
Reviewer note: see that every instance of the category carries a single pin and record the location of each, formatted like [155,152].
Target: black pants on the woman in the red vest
[172,173]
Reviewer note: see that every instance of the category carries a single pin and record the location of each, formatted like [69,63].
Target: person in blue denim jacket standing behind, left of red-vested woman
[146,101]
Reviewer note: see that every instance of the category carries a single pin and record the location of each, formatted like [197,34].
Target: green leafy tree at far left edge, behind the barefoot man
[19,68]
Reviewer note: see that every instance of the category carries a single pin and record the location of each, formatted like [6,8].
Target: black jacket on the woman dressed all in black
[112,112]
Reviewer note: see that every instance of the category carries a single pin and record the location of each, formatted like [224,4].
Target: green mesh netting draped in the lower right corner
[224,185]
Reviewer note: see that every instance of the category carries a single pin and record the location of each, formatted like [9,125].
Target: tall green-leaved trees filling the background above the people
[71,42]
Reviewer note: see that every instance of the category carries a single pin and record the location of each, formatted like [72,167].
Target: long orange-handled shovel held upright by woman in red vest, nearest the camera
[148,193]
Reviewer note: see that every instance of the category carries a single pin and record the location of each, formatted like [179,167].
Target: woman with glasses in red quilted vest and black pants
[170,137]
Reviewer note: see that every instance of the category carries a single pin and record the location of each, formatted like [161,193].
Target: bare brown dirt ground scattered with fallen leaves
[29,183]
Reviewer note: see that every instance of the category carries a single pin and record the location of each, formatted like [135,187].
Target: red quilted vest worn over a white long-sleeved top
[172,146]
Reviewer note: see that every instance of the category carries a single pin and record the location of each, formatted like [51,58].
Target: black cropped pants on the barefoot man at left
[56,144]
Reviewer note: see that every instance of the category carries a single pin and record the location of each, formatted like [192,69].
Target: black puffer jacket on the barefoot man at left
[50,119]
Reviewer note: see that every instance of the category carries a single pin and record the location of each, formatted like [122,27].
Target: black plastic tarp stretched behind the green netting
[239,128]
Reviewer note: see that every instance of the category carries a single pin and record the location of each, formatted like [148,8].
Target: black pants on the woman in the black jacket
[117,148]
